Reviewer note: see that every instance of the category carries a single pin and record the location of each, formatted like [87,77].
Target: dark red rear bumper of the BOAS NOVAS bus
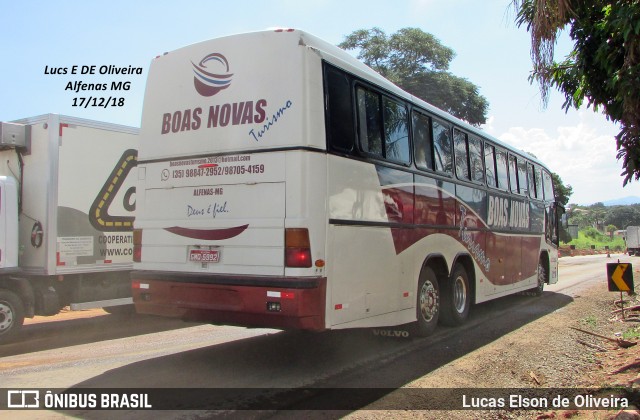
[251,301]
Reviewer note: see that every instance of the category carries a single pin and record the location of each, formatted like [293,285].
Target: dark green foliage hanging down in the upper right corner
[602,70]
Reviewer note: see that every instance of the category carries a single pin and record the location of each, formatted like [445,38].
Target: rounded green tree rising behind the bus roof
[418,63]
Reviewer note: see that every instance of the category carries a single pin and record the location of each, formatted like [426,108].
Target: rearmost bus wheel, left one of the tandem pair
[427,304]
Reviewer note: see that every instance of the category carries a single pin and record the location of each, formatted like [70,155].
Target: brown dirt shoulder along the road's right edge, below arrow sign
[546,353]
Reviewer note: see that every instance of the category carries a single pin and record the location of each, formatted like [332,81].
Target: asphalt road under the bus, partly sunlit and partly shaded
[257,368]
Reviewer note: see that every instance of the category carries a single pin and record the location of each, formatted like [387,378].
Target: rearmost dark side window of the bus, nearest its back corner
[340,124]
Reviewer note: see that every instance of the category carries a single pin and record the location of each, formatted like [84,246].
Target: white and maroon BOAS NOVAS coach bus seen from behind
[285,184]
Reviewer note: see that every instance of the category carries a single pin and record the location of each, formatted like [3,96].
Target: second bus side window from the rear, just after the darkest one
[370,122]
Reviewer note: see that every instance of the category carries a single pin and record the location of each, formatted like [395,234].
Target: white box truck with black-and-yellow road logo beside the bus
[67,197]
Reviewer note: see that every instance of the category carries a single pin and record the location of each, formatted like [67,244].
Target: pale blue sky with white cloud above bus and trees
[39,36]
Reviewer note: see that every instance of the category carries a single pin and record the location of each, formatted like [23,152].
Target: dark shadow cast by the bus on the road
[331,374]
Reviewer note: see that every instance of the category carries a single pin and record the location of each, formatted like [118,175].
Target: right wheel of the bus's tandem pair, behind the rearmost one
[456,298]
